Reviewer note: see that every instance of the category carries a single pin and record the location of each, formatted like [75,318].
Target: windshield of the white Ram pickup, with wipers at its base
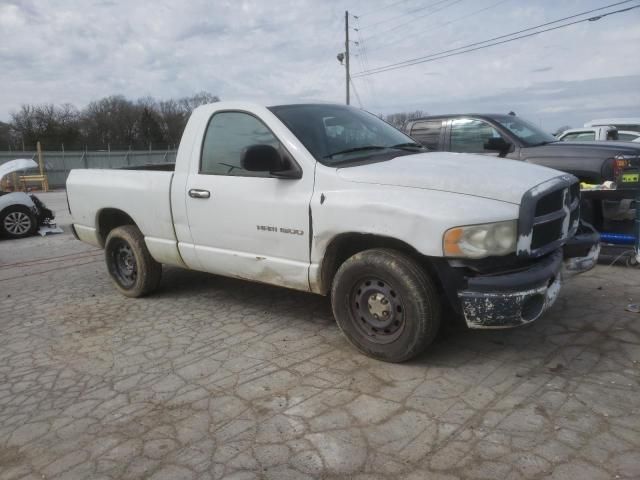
[337,134]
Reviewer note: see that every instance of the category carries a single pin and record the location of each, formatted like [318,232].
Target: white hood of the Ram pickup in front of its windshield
[462,173]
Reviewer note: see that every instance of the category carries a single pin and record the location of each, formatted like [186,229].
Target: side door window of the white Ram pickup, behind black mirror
[228,136]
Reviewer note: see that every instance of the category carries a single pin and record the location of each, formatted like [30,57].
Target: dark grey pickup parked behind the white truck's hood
[512,137]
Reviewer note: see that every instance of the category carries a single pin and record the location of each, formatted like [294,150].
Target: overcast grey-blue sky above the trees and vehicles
[276,51]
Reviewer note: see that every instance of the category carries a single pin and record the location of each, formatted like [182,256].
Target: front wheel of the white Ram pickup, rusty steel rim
[392,282]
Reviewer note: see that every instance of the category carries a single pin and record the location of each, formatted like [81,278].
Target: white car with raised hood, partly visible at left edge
[21,214]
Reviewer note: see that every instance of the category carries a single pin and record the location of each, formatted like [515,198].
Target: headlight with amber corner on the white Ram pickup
[479,241]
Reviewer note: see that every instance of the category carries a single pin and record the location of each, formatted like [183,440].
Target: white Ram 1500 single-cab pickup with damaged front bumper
[332,200]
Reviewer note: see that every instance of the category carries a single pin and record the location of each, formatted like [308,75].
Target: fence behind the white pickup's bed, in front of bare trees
[58,164]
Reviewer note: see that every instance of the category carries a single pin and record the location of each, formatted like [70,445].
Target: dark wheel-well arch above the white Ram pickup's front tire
[348,244]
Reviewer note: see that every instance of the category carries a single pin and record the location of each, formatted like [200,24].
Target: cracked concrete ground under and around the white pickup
[219,378]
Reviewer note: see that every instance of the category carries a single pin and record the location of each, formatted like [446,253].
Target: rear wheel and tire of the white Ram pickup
[133,270]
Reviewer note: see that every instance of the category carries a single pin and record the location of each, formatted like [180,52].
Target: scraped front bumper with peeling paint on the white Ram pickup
[517,298]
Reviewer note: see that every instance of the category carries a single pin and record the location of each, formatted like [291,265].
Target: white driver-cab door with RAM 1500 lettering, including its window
[247,224]
